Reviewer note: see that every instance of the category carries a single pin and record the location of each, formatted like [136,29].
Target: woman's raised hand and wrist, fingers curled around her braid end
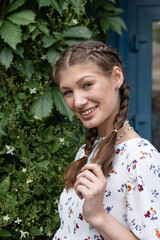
[91,185]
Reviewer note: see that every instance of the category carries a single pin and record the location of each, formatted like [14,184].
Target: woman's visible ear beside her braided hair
[118,77]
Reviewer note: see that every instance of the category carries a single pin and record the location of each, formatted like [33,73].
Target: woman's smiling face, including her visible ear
[91,96]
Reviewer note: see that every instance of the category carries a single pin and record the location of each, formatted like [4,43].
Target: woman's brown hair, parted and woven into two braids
[105,57]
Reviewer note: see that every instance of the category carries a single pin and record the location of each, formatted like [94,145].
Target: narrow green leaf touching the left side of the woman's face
[60,104]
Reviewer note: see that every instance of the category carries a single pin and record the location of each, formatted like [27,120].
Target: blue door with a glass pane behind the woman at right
[144,67]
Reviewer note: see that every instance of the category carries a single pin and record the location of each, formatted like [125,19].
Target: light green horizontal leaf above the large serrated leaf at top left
[23,17]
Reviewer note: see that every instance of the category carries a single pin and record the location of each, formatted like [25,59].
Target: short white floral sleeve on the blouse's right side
[143,195]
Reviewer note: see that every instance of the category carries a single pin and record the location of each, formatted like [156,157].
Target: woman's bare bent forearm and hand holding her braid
[91,185]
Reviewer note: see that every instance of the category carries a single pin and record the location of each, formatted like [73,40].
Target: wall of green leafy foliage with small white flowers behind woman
[37,130]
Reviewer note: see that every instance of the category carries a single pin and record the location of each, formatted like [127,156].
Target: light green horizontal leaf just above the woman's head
[78,32]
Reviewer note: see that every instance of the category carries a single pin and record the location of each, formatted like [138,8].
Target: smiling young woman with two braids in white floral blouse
[113,186]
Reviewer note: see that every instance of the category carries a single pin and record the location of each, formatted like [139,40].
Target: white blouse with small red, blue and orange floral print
[132,195]
